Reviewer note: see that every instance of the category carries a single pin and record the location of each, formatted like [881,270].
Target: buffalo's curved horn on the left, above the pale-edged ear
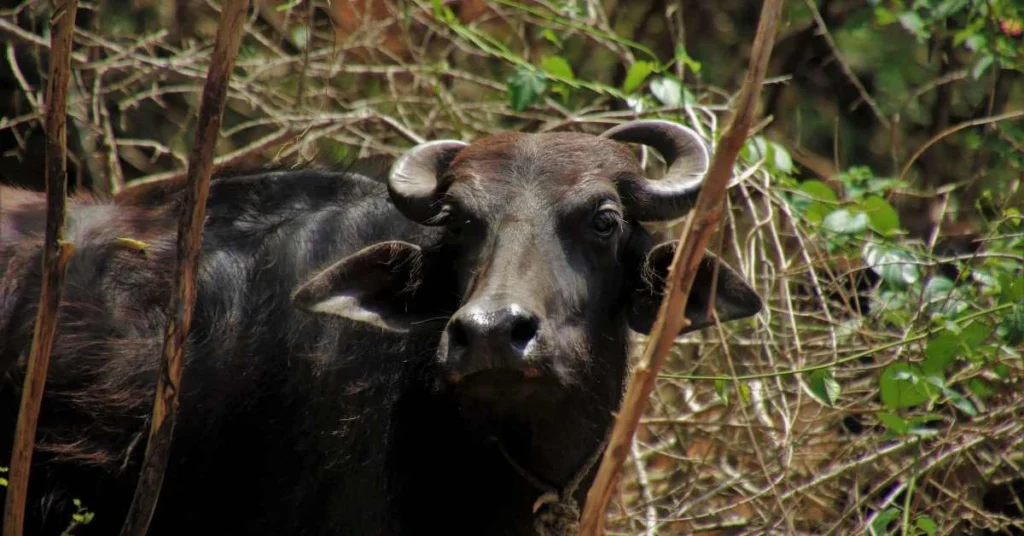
[415,181]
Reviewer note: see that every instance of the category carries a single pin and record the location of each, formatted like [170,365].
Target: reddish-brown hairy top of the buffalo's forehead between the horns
[558,160]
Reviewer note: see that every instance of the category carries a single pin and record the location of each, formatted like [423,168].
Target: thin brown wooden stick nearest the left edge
[57,253]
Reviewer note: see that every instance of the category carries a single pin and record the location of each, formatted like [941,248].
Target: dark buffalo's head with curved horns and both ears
[542,262]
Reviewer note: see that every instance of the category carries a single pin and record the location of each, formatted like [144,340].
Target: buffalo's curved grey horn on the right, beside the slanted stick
[688,158]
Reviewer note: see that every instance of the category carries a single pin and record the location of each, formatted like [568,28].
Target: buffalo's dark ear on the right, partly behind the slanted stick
[734,298]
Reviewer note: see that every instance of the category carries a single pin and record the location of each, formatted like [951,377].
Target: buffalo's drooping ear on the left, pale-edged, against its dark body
[388,285]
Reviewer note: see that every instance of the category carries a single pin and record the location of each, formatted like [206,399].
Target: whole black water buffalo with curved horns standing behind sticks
[420,348]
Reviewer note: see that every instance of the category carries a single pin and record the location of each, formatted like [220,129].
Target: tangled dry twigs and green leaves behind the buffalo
[880,214]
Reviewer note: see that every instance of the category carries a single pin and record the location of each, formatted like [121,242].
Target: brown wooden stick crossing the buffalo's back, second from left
[190,241]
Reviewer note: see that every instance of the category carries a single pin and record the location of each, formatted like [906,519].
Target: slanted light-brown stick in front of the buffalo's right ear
[696,235]
